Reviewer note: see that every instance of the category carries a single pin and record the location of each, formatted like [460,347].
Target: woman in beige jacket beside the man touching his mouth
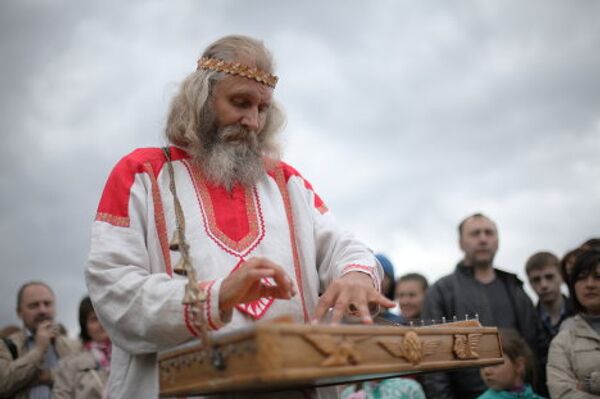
[85,375]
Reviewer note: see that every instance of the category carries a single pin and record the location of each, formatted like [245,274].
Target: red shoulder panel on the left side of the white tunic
[114,203]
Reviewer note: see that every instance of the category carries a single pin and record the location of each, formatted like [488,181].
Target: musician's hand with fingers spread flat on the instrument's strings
[354,288]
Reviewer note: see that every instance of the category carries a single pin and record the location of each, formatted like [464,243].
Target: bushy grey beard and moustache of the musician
[232,156]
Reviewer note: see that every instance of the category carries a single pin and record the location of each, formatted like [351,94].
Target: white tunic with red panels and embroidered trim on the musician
[129,273]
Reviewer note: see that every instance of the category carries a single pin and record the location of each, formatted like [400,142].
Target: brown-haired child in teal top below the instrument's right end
[512,378]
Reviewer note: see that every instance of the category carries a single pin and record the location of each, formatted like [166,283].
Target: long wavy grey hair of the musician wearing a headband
[191,117]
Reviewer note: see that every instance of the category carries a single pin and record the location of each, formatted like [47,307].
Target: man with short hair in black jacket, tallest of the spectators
[477,288]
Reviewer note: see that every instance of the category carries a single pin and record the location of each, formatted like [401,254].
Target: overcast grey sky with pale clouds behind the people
[406,116]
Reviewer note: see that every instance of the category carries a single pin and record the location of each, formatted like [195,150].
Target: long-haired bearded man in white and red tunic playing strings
[262,242]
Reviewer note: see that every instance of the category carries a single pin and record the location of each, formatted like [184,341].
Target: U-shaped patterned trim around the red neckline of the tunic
[253,214]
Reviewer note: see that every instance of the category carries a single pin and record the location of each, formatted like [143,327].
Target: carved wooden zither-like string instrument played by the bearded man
[271,356]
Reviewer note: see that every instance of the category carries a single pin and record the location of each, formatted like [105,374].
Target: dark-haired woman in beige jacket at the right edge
[574,357]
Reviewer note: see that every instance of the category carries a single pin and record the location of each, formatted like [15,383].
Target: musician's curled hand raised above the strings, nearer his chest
[245,285]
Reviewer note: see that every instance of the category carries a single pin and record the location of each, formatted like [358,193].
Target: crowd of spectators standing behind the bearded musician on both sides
[551,348]
